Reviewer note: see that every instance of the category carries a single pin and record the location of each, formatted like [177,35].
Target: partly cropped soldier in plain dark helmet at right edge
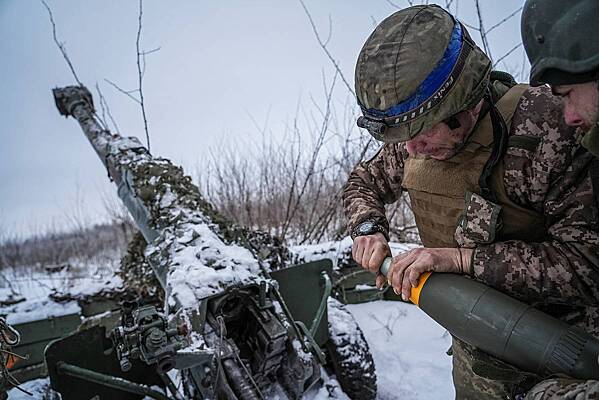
[556,39]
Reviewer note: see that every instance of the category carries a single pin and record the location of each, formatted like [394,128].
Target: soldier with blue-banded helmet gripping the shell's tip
[498,182]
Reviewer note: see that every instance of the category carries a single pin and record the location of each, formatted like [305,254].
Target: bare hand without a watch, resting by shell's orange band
[406,268]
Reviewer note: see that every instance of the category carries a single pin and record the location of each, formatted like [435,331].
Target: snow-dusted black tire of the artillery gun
[349,355]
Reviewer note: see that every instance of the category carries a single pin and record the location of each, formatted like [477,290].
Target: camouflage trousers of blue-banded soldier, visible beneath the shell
[479,376]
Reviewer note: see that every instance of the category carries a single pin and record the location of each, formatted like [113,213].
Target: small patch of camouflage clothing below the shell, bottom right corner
[564,388]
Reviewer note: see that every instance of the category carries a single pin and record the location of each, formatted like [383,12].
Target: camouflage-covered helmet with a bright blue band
[419,67]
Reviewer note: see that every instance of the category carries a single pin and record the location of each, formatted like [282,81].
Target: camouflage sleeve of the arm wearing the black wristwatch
[371,185]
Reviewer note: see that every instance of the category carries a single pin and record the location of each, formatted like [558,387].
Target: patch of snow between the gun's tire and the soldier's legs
[408,349]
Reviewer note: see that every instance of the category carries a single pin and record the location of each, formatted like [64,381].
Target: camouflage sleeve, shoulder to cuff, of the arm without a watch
[554,179]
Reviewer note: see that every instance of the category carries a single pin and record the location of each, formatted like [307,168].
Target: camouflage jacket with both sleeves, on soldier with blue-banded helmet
[559,275]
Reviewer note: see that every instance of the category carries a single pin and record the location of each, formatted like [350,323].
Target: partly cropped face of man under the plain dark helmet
[581,103]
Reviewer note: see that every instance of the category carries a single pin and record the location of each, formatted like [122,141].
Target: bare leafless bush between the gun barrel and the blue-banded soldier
[292,187]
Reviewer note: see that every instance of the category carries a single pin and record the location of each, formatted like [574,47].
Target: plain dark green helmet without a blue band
[561,40]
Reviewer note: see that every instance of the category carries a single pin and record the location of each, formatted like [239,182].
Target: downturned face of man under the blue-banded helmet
[441,142]
